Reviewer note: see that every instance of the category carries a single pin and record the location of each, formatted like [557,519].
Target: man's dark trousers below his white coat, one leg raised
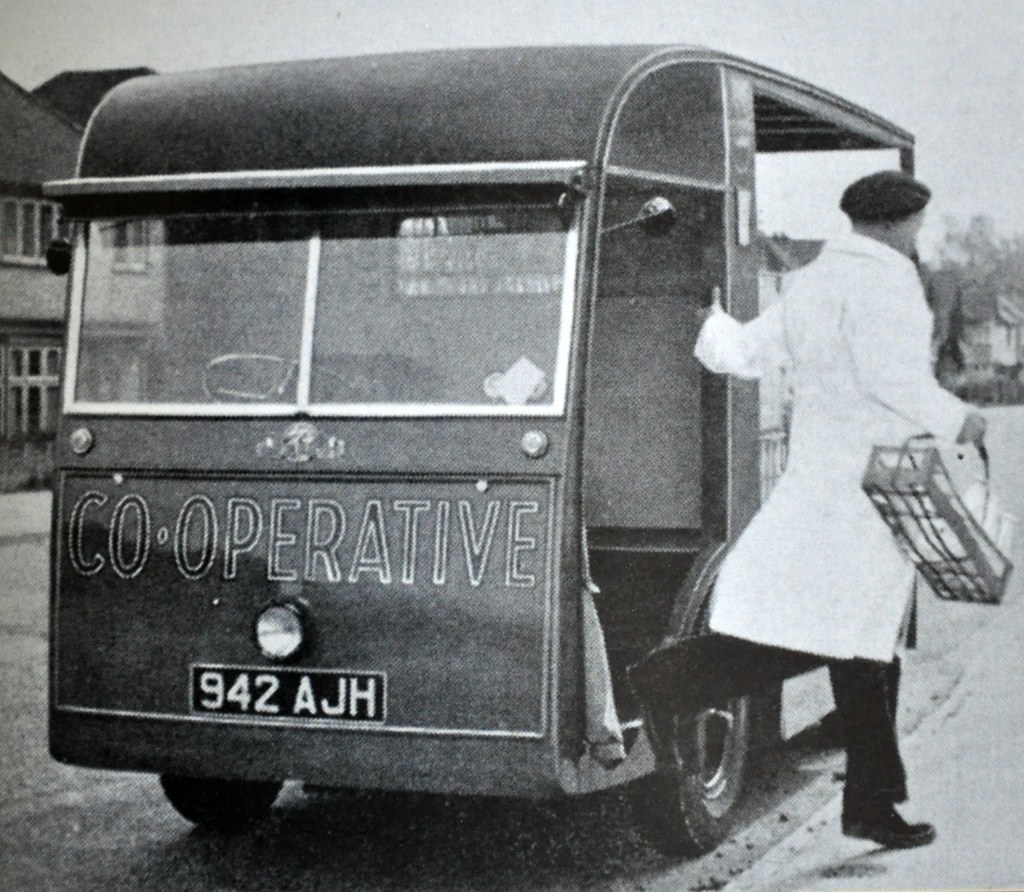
[696,673]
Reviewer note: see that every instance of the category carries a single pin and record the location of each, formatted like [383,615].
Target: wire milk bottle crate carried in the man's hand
[958,558]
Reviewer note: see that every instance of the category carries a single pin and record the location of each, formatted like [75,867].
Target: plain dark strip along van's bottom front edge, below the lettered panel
[499,767]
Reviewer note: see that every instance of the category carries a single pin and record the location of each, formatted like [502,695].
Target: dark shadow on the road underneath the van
[360,840]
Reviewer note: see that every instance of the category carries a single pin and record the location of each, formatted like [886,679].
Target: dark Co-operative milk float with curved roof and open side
[379,380]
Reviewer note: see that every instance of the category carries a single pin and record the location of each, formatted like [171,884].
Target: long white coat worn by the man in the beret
[818,570]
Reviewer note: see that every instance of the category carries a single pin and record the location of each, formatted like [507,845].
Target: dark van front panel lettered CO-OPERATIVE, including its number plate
[428,608]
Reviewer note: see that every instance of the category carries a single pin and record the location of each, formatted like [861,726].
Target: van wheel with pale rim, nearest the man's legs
[687,806]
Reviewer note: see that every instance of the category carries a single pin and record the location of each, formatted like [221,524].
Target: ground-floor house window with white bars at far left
[32,398]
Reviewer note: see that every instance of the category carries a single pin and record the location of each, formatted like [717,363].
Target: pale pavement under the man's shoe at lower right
[964,770]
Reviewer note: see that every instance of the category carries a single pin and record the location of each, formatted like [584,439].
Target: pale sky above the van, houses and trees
[950,71]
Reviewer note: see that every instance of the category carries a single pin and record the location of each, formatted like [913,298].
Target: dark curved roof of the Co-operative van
[535,105]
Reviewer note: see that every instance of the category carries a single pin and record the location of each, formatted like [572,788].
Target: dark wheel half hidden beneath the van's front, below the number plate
[219,804]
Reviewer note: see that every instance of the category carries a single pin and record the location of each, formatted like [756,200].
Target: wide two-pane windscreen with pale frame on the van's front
[392,312]
